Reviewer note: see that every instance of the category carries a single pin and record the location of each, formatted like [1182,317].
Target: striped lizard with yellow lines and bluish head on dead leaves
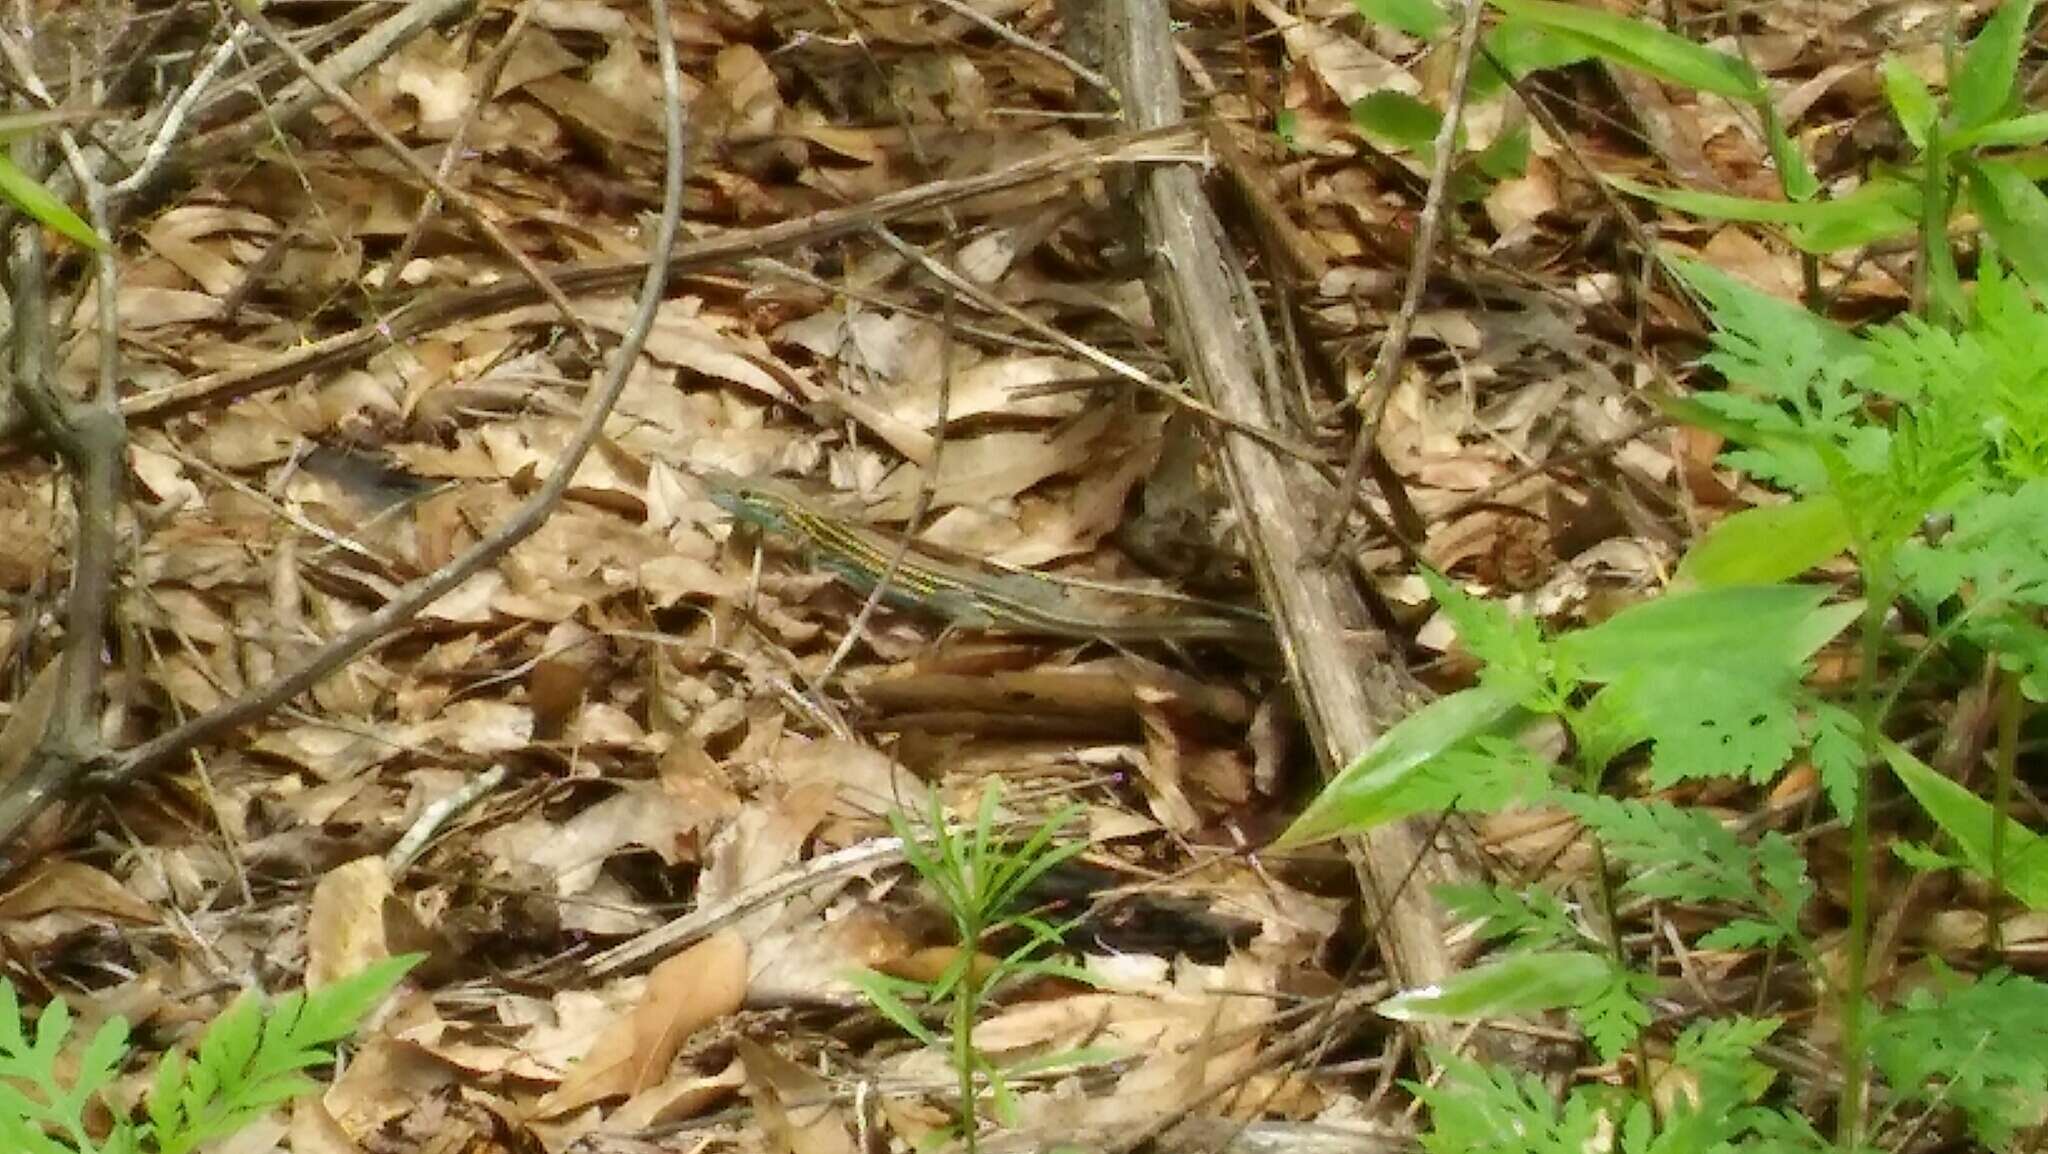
[962,593]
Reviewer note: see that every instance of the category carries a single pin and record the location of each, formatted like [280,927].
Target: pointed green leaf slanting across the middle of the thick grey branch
[1363,794]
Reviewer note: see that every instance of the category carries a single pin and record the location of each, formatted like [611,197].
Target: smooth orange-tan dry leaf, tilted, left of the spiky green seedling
[683,995]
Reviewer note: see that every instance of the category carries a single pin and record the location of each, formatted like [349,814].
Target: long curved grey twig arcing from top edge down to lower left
[382,624]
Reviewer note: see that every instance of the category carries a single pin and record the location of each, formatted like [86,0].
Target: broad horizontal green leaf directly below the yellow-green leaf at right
[1709,626]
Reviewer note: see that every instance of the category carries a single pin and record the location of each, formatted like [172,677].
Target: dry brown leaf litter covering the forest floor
[644,675]
